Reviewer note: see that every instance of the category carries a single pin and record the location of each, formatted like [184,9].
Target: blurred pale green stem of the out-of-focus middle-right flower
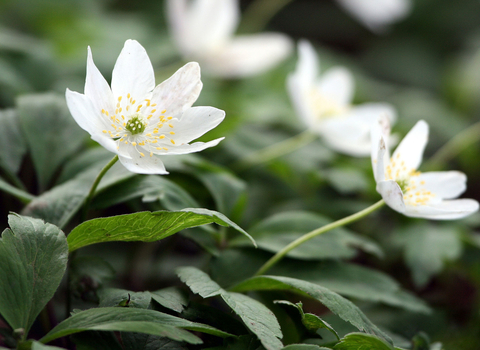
[274,151]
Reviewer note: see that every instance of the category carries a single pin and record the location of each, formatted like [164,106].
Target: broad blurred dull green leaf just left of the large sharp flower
[52,134]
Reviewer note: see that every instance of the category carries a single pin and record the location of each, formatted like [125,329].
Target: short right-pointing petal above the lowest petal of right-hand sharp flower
[444,184]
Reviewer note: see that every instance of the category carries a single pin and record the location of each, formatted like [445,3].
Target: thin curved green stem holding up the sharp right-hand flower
[345,221]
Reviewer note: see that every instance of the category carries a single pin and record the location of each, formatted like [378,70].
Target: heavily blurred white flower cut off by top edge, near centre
[203,31]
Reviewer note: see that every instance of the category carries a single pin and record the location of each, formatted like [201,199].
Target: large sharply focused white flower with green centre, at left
[139,121]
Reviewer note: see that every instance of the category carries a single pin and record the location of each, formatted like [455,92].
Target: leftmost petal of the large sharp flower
[82,110]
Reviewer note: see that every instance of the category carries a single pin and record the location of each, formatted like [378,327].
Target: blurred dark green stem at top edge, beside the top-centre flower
[259,13]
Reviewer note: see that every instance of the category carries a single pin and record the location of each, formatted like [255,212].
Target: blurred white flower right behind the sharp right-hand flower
[324,104]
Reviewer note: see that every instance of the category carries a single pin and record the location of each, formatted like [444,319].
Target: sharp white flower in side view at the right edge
[410,192]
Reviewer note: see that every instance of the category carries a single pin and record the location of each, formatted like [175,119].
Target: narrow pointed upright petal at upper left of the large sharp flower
[97,88]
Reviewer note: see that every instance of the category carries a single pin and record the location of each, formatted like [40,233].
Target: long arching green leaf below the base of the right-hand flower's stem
[340,306]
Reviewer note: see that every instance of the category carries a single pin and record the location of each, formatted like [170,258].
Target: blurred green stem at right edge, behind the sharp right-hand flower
[453,147]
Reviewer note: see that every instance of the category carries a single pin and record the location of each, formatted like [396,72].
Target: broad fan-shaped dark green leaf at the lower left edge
[33,257]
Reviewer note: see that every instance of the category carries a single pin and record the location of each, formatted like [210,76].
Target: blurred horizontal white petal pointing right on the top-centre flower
[248,55]
